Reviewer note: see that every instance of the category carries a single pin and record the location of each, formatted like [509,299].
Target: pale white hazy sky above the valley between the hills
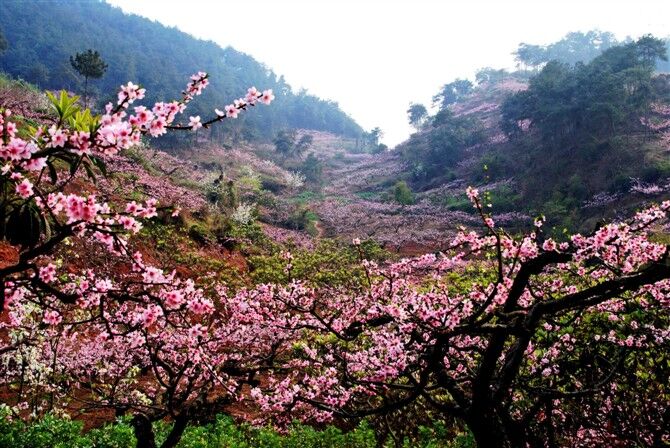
[374,57]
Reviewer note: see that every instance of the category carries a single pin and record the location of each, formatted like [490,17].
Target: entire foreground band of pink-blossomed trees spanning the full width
[523,340]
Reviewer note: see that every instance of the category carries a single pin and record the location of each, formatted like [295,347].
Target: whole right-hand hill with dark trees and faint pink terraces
[580,137]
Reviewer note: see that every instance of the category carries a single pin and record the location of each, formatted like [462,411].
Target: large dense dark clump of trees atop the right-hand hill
[568,105]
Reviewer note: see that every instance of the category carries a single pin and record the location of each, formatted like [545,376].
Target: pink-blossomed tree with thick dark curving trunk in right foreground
[527,341]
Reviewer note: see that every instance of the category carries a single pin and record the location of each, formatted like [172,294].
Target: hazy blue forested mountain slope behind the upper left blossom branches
[43,35]
